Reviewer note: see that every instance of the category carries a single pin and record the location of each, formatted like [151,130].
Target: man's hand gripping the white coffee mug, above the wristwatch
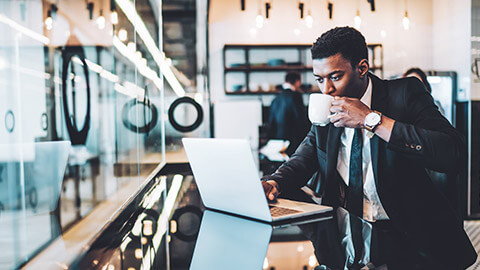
[348,112]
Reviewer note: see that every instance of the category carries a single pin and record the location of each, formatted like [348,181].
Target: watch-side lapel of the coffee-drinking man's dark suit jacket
[379,103]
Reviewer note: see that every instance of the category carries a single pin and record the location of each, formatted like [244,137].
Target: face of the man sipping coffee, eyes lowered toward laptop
[336,76]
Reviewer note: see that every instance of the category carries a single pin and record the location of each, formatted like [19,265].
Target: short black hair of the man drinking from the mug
[347,41]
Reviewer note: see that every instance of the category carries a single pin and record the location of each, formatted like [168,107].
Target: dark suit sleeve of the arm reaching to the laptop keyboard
[294,173]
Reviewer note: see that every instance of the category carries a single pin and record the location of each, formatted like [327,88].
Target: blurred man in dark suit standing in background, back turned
[288,118]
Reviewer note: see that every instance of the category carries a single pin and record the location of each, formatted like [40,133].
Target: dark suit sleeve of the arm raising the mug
[425,135]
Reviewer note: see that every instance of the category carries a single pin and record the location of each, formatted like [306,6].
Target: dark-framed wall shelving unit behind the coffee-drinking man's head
[257,69]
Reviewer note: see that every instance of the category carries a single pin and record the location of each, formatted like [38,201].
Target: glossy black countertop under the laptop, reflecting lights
[167,227]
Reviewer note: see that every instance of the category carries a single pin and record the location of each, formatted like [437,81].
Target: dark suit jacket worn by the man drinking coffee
[421,138]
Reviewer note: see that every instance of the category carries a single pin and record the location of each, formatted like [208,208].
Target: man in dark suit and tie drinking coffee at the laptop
[371,158]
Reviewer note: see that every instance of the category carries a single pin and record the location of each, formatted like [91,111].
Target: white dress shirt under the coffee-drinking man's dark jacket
[372,207]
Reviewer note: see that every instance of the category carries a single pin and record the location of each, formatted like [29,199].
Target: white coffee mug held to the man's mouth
[319,109]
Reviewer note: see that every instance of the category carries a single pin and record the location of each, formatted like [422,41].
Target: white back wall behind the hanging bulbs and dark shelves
[438,38]
